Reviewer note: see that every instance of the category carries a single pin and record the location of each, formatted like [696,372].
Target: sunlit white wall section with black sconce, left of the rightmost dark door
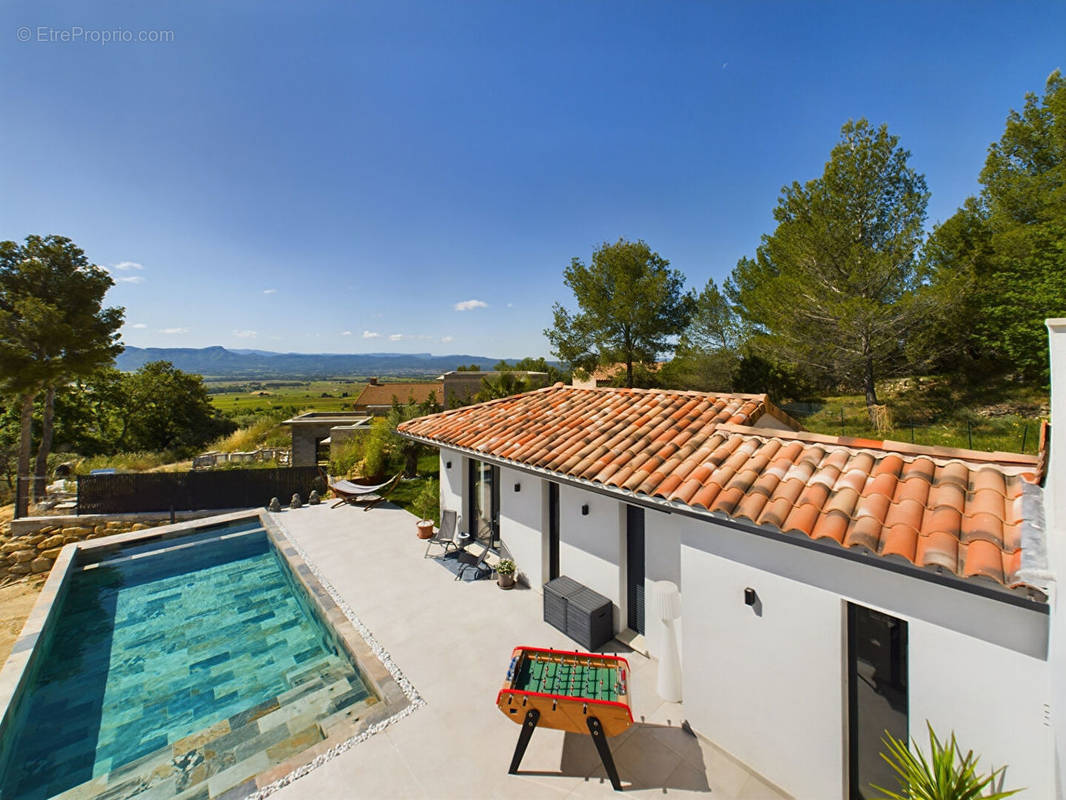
[768,689]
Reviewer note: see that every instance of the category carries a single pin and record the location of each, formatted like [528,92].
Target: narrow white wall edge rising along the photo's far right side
[1055,510]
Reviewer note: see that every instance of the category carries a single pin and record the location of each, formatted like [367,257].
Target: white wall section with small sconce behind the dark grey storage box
[591,547]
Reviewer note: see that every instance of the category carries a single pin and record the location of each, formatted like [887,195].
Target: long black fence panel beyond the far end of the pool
[225,489]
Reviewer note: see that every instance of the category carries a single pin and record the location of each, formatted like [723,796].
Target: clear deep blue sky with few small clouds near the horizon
[414,178]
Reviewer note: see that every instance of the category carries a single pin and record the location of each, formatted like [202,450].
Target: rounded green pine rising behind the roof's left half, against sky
[631,306]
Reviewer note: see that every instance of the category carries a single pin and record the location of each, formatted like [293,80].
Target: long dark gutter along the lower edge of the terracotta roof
[939,577]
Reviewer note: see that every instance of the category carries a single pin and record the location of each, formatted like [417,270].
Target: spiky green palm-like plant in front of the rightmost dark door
[946,776]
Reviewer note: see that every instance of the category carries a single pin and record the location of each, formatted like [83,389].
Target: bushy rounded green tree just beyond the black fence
[169,410]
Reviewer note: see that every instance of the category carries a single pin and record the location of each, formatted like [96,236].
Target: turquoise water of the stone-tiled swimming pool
[158,644]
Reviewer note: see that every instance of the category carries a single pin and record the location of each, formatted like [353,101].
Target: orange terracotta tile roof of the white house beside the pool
[956,510]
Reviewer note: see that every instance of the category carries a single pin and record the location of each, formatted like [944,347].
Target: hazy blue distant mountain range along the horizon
[219,362]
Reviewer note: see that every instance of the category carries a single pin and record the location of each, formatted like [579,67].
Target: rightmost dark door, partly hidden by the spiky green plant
[877,697]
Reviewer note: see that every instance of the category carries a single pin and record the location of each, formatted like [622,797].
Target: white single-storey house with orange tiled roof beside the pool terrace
[798,649]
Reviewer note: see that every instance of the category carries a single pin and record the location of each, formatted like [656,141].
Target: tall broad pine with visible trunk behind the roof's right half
[837,286]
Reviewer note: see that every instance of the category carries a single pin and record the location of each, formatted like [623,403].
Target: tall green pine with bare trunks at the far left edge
[54,328]
